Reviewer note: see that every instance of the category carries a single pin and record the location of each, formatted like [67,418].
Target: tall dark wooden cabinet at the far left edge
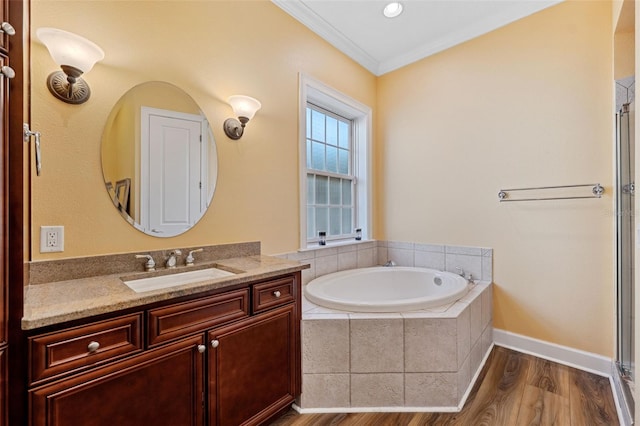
[13,51]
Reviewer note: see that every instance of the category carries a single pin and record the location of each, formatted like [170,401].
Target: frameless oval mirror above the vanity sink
[159,159]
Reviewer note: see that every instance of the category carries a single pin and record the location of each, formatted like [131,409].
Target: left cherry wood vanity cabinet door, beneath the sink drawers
[162,387]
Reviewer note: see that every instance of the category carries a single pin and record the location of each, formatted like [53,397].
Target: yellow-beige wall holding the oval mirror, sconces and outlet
[212,49]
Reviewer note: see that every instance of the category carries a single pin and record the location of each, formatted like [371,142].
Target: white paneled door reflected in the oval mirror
[170,180]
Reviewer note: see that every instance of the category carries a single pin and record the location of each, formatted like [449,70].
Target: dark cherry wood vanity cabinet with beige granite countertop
[220,352]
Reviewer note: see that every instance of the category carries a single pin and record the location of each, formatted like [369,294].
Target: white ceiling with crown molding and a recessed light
[359,29]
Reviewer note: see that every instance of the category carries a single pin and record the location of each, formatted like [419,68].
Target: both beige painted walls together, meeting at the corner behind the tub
[529,104]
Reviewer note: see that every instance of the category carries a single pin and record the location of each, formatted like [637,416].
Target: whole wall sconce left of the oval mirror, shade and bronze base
[75,55]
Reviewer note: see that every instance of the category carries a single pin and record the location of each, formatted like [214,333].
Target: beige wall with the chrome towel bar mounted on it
[527,105]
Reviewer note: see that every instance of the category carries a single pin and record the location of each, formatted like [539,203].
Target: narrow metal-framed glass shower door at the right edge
[625,189]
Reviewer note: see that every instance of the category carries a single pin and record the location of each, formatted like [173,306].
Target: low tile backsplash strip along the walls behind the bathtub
[477,261]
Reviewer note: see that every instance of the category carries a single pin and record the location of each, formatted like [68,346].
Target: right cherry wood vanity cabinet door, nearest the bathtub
[251,368]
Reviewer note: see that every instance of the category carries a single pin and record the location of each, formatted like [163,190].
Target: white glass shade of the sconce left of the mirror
[70,49]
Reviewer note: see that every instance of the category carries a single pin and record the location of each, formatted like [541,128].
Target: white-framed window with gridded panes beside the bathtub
[334,164]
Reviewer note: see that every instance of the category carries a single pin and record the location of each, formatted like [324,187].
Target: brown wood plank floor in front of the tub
[513,389]
